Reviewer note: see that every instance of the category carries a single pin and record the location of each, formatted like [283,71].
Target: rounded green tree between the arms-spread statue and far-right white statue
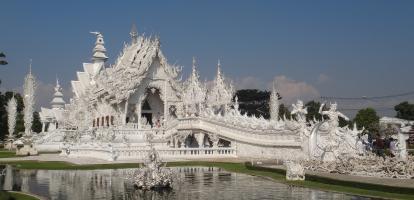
[369,119]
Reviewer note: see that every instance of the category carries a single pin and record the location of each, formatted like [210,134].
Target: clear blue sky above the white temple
[328,48]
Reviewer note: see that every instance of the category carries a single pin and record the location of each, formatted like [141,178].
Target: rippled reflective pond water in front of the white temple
[189,183]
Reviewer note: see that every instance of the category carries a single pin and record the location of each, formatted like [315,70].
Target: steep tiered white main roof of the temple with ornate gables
[117,82]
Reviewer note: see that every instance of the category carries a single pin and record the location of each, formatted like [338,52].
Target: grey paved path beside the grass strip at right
[408,183]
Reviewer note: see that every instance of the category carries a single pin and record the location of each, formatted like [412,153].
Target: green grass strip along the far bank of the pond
[314,182]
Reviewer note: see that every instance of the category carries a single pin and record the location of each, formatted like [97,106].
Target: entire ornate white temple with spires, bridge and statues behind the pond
[118,109]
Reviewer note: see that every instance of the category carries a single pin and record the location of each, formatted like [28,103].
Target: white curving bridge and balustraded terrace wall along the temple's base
[187,138]
